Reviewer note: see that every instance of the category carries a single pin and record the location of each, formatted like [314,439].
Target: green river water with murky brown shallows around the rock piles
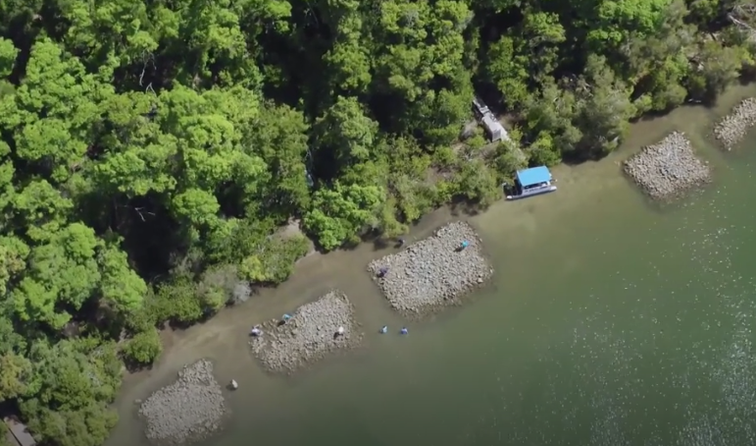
[610,322]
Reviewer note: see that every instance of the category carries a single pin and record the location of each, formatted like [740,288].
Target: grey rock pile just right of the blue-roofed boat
[668,168]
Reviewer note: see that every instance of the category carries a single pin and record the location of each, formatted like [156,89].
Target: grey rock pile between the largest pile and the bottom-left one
[308,336]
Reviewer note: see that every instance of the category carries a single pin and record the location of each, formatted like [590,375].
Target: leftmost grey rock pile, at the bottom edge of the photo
[188,410]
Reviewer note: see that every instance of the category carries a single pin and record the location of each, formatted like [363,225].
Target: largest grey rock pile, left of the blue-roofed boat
[433,273]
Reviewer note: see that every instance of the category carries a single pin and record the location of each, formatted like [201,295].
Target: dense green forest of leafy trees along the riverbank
[161,159]
